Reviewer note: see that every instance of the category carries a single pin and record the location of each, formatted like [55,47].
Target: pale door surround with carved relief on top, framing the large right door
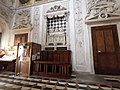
[107,13]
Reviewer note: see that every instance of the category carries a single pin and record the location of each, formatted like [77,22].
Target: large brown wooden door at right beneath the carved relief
[105,50]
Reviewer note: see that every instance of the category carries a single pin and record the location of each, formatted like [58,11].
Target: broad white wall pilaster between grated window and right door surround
[82,61]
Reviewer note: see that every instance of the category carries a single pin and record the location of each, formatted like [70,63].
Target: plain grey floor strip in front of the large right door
[107,79]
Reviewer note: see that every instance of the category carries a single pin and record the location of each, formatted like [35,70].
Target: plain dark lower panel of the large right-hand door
[107,64]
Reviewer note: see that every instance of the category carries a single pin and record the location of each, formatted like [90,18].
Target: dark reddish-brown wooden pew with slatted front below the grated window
[54,64]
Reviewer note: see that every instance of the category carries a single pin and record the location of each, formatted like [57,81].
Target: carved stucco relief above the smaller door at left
[23,19]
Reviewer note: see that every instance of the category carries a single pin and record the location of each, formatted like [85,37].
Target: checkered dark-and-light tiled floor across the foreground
[10,82]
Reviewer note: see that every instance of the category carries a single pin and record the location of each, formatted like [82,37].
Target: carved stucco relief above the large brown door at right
[102,9]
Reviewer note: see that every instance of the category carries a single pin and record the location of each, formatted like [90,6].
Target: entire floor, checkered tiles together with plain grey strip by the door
[8,81]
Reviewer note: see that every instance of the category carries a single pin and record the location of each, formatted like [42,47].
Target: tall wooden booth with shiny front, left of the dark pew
[26,53]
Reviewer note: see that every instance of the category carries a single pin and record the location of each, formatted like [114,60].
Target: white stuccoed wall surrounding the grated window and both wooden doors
[32,20]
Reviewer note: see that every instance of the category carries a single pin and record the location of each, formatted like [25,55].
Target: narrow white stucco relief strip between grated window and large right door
[80,61]
